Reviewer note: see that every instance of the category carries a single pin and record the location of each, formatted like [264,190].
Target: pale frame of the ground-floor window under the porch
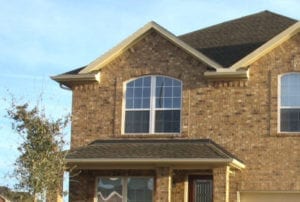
[124,180]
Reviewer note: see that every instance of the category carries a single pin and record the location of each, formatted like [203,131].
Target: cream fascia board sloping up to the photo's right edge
[267,47]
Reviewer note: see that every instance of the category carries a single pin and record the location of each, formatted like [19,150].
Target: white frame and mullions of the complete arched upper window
[153,108]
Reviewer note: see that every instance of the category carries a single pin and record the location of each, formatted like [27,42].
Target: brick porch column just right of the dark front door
[221,184]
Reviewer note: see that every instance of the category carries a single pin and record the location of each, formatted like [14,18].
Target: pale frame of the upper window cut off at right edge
[279,107]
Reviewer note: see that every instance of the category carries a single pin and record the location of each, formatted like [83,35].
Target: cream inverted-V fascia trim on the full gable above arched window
[127,43]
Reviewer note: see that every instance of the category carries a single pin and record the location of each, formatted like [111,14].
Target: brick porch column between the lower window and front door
[163,184]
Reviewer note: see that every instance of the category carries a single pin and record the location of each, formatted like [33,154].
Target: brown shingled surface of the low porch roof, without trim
[152,149]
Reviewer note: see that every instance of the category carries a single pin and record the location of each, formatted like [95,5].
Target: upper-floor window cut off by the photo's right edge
[290,102]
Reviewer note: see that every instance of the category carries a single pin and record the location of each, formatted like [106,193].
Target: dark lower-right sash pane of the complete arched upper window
[167,121]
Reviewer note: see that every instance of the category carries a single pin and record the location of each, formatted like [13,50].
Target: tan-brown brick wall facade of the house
[241,116]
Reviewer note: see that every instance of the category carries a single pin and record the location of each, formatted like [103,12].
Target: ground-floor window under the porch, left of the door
[125,189]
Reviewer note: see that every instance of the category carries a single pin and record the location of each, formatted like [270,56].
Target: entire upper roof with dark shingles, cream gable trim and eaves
[229,47]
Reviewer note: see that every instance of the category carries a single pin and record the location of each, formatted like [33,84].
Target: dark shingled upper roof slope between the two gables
[229,42]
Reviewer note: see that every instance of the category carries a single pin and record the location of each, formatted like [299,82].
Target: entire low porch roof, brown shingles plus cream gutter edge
[153,151]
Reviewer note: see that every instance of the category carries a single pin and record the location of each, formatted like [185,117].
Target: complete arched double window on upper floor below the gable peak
[153,105]
